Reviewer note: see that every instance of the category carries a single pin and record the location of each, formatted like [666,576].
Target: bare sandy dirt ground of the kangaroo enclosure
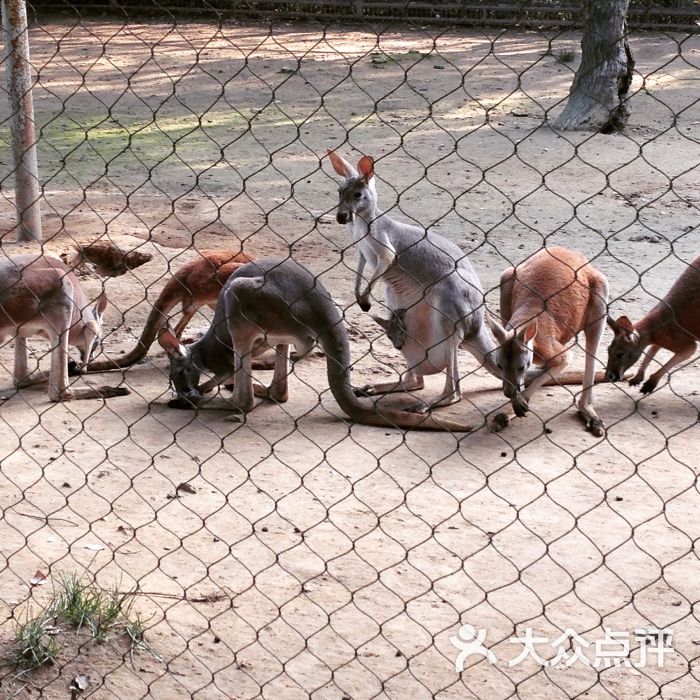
[315,557]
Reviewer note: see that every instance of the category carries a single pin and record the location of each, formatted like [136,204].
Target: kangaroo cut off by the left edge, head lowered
[40,295]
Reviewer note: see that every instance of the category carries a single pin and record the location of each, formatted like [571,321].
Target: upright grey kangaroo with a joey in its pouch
[432,291]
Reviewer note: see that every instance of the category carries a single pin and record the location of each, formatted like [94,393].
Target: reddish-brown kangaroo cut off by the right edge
[673,324]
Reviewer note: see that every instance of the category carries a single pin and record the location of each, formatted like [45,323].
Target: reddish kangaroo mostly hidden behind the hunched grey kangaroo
[197,283]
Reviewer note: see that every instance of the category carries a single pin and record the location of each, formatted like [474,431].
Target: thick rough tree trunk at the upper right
[597,99]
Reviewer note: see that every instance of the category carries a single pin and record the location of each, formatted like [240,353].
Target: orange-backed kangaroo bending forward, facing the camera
[546,302]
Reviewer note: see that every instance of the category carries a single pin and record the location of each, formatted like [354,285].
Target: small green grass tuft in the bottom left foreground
[99,613]
